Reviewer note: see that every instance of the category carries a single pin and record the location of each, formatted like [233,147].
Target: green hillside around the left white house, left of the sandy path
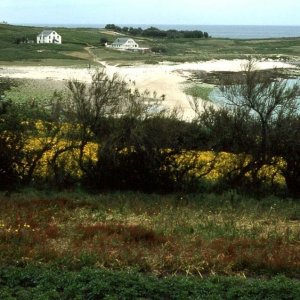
[71,51]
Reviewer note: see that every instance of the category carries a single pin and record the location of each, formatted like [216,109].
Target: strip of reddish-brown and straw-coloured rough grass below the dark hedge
[165,235]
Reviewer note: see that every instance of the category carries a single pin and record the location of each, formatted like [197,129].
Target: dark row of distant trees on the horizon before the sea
[158,33]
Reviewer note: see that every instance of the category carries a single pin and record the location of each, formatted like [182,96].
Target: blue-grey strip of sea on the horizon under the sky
[215,31]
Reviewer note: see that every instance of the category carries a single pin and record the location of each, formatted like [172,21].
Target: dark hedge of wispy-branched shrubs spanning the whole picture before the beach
[109,136]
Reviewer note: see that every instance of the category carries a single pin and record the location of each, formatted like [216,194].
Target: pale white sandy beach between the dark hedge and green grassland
[165,78]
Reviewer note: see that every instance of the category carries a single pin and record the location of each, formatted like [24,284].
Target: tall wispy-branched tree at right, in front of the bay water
[255,106]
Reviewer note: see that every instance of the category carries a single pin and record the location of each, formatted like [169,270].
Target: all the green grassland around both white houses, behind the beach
[74,51]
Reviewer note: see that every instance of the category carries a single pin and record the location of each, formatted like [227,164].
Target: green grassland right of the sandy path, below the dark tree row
[183,50]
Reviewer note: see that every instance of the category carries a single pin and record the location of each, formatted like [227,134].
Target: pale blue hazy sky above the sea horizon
[189,12]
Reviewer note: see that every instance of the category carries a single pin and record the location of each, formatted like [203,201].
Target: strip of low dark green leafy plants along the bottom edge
[35,282]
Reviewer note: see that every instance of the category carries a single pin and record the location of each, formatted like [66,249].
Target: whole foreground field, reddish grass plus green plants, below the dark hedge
[195,239]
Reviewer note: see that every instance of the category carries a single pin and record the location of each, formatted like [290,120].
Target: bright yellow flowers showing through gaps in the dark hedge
[209,165]
